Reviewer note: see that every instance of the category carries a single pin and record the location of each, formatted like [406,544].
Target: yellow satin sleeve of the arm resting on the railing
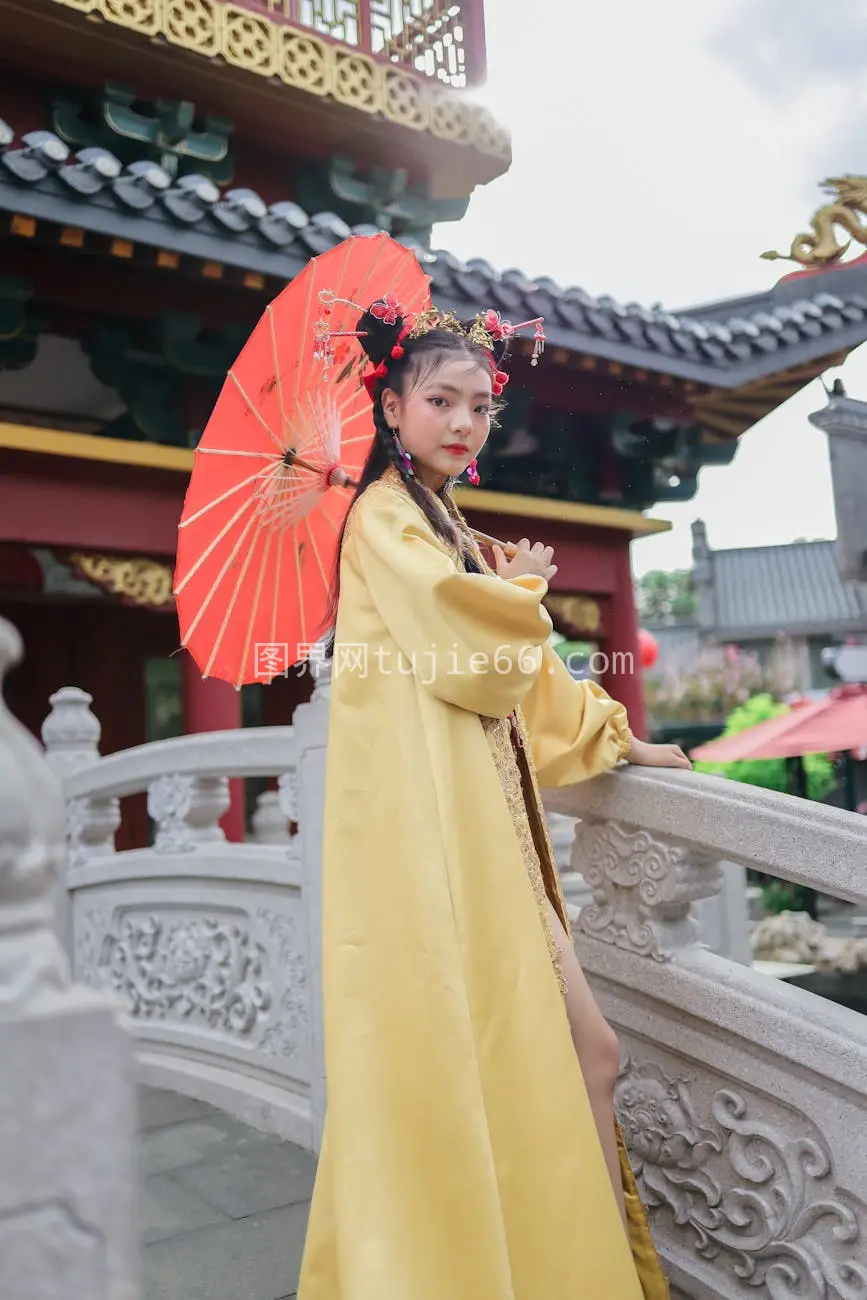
[576,730]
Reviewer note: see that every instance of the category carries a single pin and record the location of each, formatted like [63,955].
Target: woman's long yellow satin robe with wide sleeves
[461,1160]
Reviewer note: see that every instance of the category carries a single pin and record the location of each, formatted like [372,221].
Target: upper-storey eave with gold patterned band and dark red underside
[283,83]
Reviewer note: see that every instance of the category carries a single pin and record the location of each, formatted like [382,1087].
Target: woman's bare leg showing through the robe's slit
[599,1054]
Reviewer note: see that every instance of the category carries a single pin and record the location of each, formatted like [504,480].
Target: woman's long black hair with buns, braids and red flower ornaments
[417,358]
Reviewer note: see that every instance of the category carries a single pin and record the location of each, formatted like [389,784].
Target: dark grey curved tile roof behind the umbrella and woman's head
[729,344]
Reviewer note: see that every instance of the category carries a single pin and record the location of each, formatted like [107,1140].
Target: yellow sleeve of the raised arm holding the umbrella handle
[474,640]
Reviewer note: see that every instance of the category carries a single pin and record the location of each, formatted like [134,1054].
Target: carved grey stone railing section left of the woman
[214,946]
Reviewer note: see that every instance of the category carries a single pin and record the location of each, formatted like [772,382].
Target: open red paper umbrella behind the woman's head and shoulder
[268,495]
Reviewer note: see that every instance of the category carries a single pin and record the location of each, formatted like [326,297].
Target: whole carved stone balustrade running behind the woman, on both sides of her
[743,1099]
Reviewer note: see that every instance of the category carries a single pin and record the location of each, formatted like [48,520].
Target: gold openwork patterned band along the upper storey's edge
[297,57]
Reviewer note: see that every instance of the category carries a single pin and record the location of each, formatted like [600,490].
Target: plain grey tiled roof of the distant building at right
[768,591]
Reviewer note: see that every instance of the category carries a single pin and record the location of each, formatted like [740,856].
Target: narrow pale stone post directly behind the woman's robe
[310,723]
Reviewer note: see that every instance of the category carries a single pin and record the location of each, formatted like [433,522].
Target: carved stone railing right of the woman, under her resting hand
[743,1099]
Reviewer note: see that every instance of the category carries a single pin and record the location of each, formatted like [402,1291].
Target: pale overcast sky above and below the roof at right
[660,149]
